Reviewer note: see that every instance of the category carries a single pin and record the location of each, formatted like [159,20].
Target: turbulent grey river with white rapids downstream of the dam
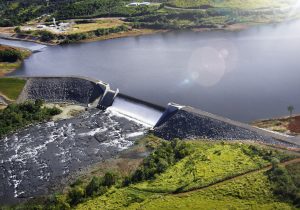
[38,157]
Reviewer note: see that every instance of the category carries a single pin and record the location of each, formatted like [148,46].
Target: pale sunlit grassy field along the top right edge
[248,4]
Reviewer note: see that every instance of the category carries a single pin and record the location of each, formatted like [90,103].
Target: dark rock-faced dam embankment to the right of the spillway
[190,123]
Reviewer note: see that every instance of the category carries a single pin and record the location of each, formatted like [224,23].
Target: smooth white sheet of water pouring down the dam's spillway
[136,111]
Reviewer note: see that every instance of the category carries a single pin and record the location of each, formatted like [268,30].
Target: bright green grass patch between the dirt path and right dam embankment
[210,163]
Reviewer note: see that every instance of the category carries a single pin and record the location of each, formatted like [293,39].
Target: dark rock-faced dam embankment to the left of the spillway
[62,89]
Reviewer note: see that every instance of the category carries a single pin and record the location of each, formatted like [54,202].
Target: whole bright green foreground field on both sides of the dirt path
[208,164]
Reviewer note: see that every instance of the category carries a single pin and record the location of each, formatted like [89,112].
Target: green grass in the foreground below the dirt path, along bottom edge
[252,191]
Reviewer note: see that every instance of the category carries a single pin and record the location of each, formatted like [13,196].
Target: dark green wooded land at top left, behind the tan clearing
[16,12]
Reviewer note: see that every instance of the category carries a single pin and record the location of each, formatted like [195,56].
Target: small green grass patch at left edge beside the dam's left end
[11,87]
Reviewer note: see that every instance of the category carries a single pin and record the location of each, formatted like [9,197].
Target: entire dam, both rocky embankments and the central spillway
[173,122]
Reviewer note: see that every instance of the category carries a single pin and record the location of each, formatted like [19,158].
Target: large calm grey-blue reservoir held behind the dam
[244,75]
